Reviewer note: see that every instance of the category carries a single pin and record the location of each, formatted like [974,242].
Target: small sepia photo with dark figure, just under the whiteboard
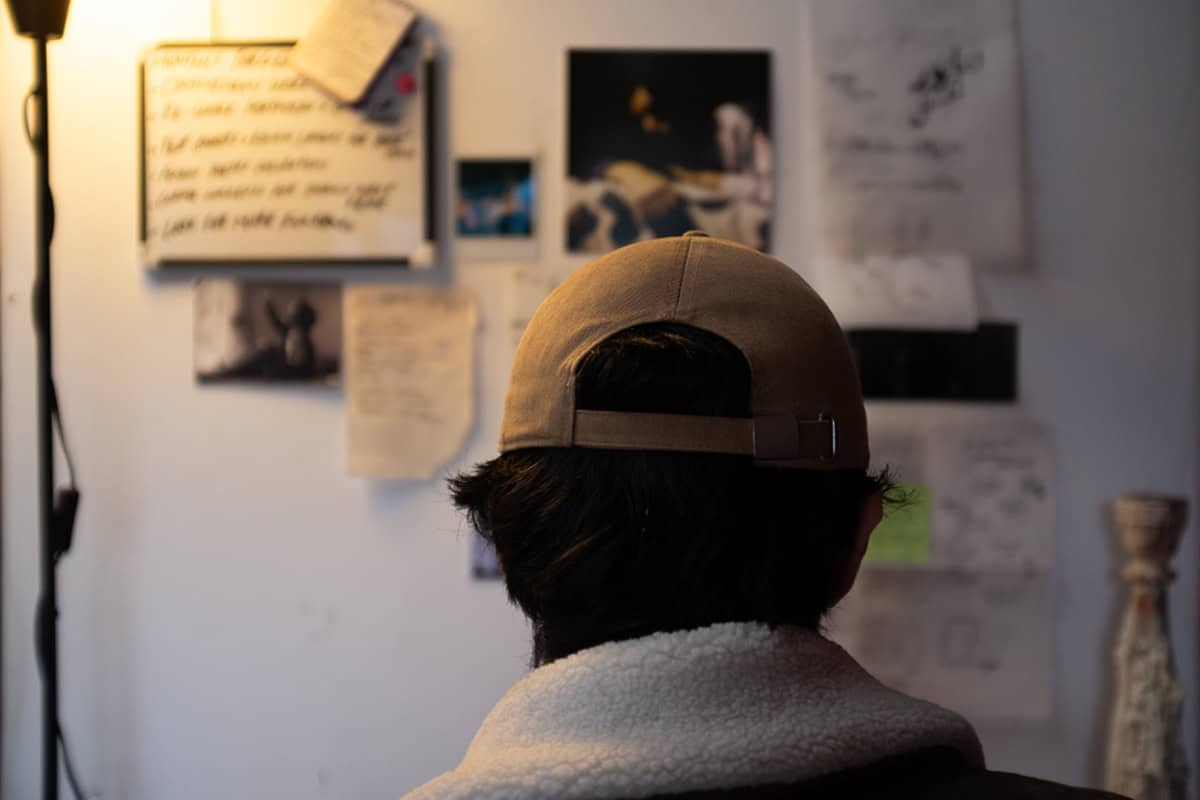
[267,333]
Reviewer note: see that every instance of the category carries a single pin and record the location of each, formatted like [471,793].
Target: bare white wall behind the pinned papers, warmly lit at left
[241,619]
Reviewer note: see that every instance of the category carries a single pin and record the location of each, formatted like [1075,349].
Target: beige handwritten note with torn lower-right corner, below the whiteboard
[410,368]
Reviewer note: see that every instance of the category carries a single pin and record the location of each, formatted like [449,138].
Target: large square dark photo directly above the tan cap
[664,142]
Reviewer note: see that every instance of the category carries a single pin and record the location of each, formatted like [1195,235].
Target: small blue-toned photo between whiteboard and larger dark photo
[496,199]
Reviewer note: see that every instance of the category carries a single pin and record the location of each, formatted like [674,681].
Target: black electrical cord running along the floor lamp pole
[63,519]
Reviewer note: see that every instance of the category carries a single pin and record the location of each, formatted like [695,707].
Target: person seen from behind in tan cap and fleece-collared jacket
[681,497]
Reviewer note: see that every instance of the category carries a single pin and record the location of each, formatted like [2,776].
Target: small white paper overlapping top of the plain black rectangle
[932,291]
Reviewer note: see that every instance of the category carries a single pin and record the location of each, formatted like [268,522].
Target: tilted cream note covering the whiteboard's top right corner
[350,43]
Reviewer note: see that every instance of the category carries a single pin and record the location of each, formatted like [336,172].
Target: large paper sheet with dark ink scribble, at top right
[919,130]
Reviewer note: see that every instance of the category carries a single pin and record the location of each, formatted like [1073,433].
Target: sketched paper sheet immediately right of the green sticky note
[994,507]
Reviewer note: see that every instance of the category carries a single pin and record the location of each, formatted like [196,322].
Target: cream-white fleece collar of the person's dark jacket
[723,707]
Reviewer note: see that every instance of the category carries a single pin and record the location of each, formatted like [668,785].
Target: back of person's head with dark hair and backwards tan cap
[682,504]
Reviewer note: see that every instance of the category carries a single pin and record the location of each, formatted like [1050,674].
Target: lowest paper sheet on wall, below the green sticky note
[980,645]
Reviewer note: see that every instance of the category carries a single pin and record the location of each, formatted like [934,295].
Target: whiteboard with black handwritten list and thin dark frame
[244,161]
